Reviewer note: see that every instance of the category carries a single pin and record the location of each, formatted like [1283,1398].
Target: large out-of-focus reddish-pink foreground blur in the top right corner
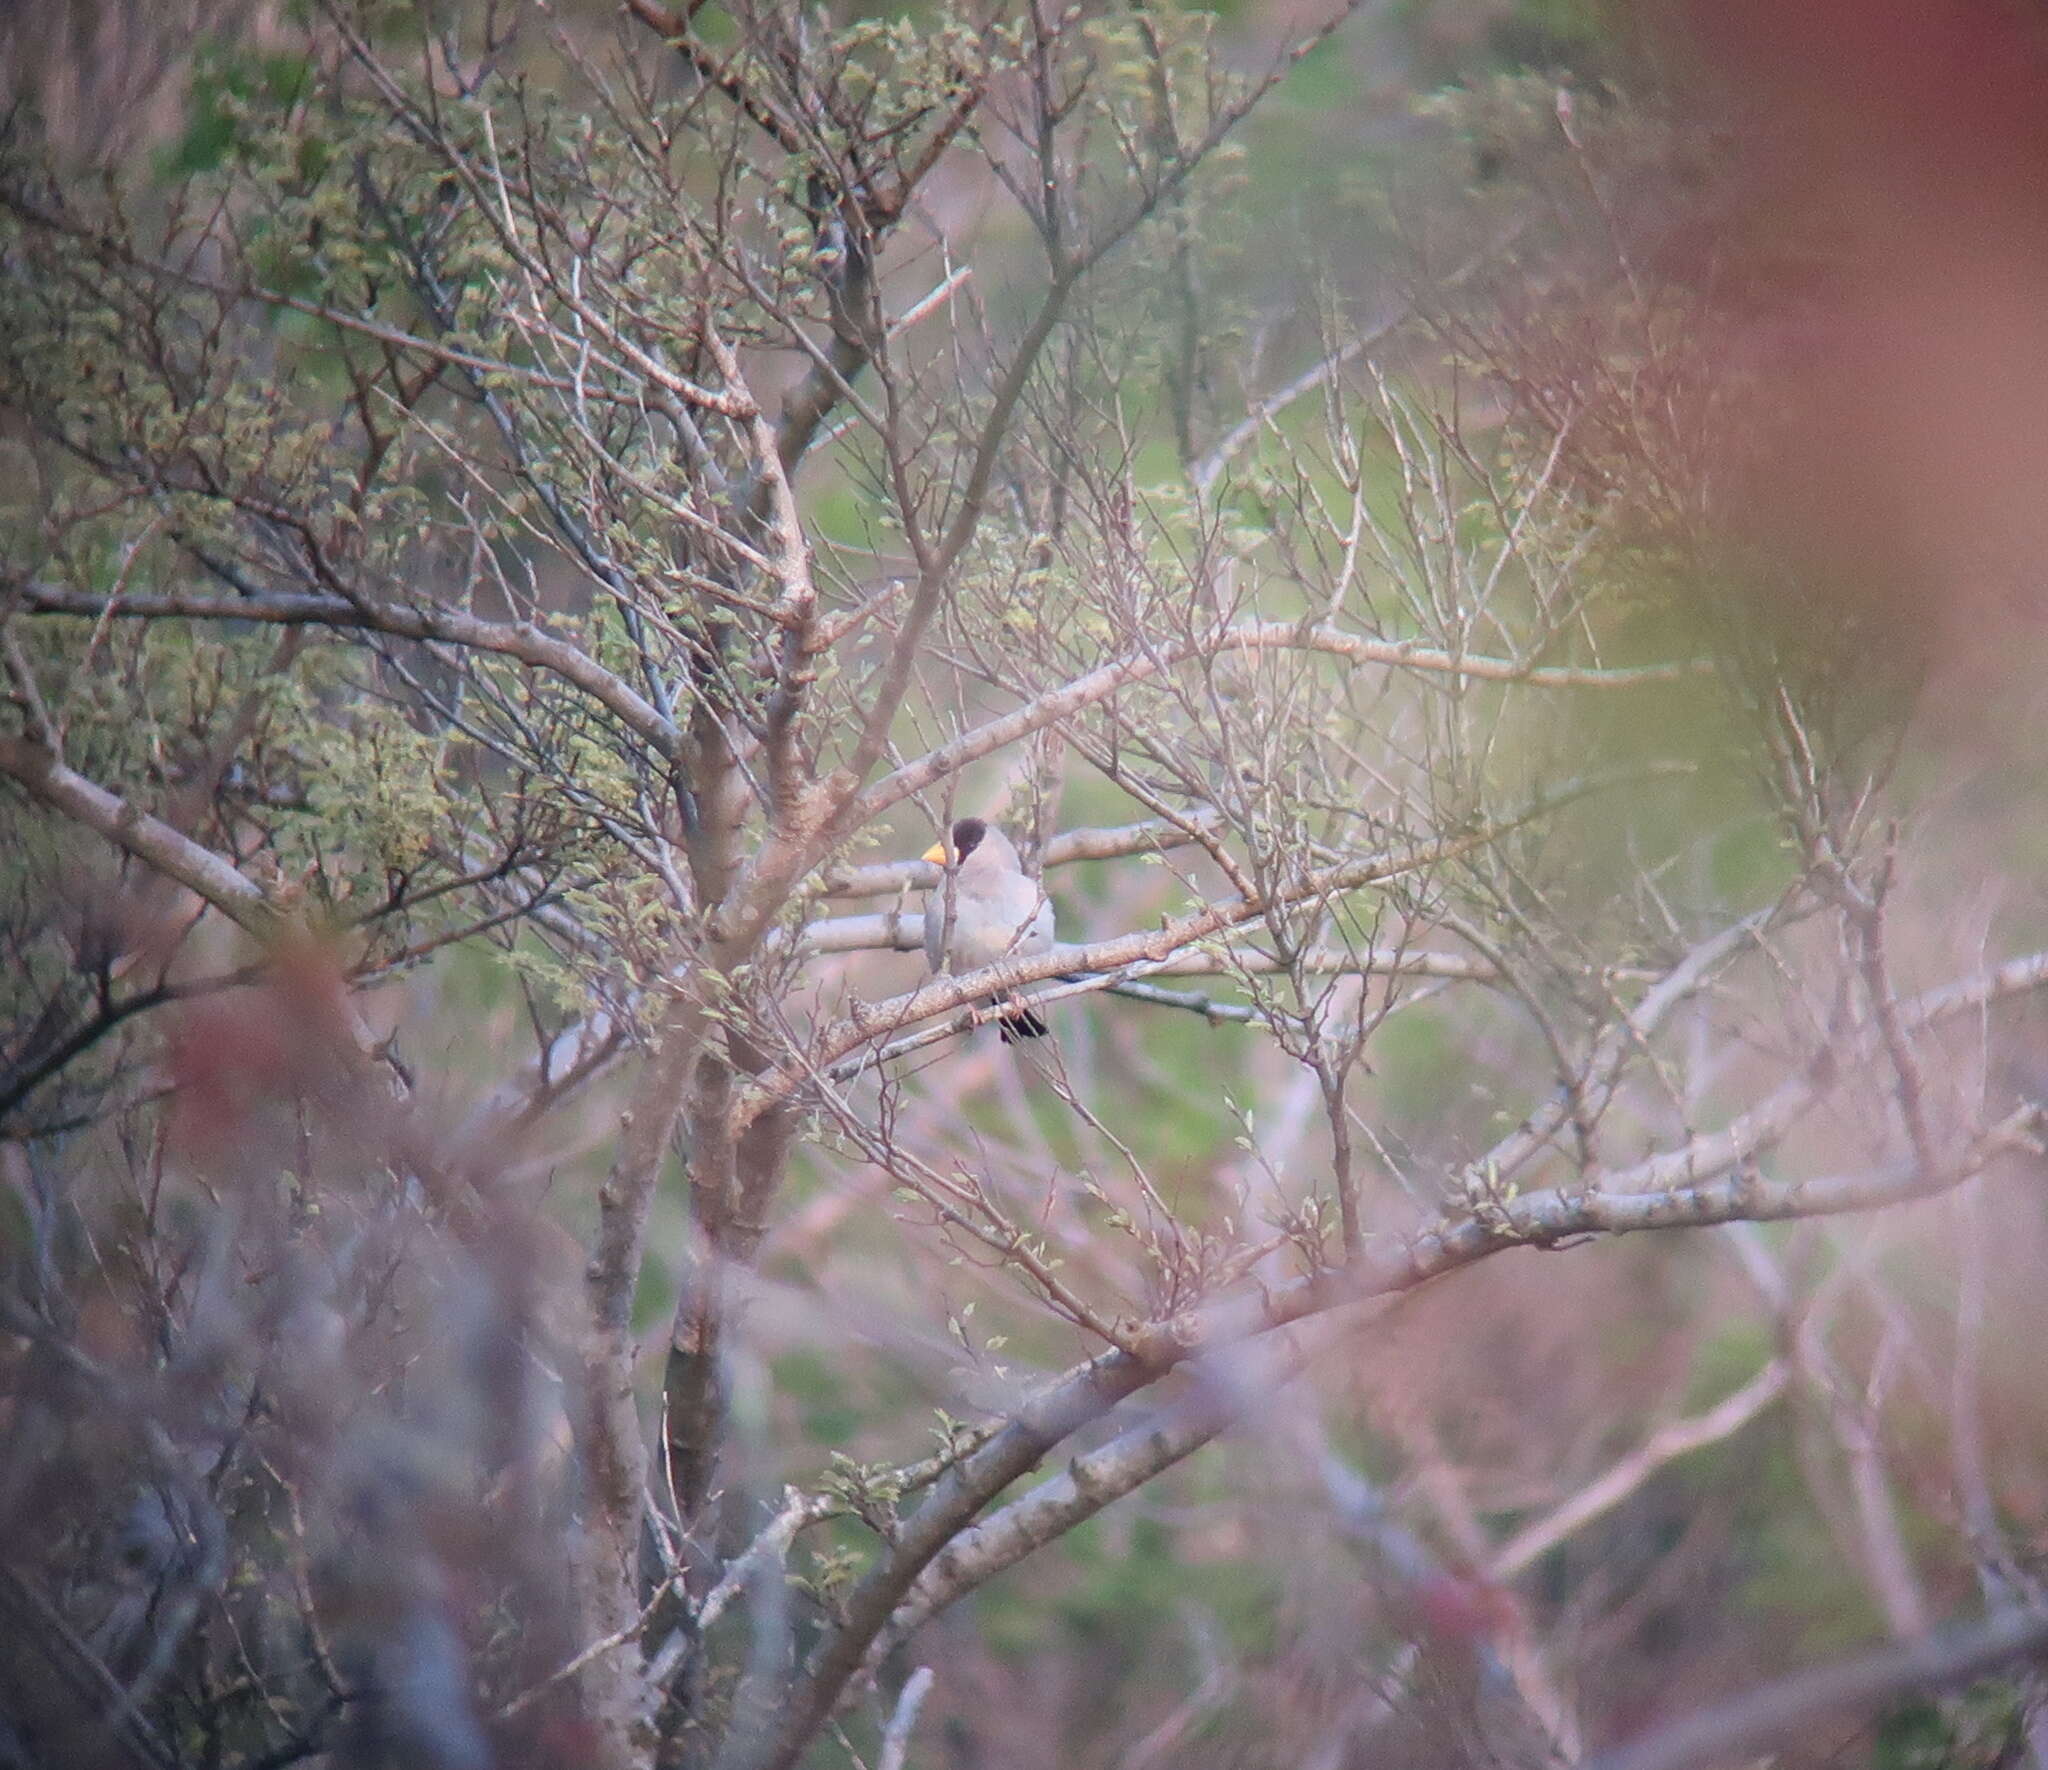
[1893,204]
